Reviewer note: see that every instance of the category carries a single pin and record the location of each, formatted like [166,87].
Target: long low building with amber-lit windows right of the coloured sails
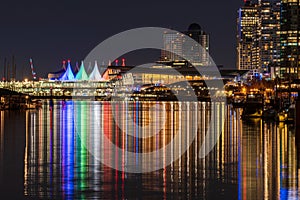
[161,74]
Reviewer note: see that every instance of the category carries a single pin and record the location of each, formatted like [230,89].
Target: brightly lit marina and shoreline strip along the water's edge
[276,103]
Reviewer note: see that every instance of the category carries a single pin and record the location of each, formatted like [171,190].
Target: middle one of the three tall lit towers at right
[270,35]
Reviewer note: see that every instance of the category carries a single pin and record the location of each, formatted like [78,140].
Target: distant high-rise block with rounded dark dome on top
[196,53]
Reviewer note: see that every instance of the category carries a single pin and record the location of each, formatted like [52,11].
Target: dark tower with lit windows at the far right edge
[289,39]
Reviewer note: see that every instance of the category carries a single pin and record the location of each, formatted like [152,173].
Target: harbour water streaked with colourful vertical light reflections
[53,153]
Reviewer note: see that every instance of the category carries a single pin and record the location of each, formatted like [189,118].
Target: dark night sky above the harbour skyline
[50,31]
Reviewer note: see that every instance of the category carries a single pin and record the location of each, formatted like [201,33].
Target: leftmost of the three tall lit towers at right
[248,37]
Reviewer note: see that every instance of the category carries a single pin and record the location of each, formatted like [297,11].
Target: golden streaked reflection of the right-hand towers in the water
[267,161]
